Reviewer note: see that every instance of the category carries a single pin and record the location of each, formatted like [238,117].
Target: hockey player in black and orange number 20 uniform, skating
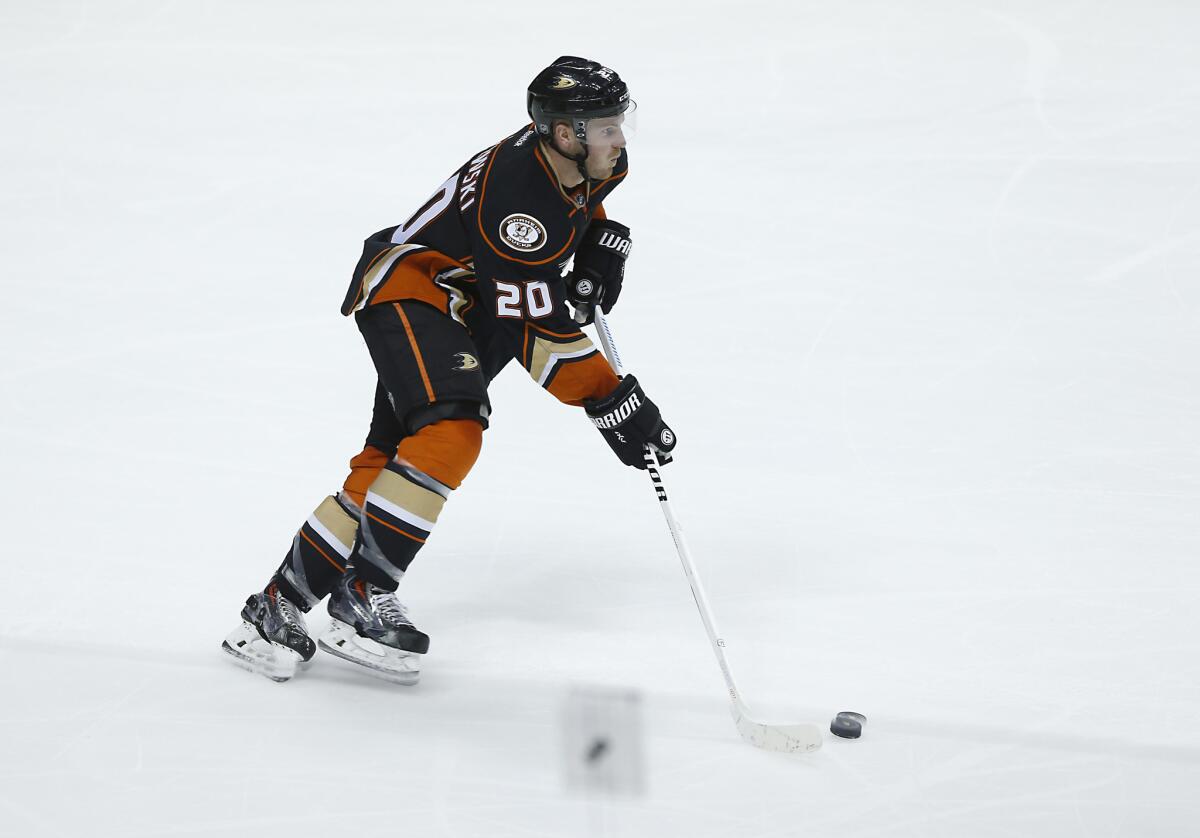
[471,282]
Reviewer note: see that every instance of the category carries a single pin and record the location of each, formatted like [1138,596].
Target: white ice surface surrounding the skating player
[917,284]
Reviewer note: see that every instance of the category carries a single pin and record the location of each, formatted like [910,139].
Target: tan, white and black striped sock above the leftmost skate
[319,553]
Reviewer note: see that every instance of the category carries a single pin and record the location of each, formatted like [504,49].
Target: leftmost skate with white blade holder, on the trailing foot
[273,639]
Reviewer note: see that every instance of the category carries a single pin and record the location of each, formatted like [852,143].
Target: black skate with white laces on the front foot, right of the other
[371,628]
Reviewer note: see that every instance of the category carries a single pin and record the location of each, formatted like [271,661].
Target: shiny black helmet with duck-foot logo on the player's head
[574,91]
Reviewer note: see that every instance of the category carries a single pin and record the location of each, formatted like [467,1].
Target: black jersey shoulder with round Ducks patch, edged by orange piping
[524,216]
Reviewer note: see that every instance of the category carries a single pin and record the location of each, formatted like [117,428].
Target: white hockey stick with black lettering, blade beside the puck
[790,738]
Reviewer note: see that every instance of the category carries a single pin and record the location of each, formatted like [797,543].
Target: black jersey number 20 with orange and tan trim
[489,249]
